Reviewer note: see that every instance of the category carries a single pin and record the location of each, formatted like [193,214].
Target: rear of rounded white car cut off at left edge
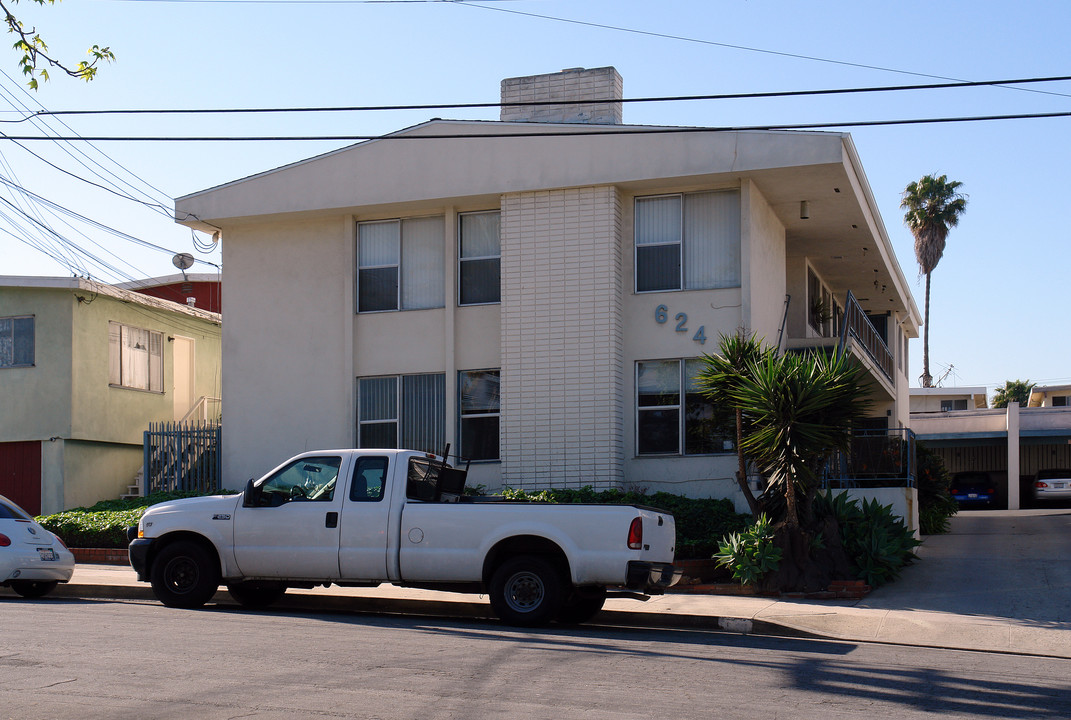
[33,561]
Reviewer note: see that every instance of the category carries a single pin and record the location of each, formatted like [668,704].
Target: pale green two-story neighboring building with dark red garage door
[84,369]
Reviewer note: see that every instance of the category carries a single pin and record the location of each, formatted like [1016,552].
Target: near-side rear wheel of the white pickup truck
[526,592]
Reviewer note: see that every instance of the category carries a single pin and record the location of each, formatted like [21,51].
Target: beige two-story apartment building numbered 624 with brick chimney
[540,291]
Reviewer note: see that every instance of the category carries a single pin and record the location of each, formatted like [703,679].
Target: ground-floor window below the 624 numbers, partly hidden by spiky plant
[672,415]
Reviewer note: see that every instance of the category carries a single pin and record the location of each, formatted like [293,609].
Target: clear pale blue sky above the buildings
[1000,308]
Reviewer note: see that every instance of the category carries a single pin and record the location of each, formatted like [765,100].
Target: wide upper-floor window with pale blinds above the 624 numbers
[688,242]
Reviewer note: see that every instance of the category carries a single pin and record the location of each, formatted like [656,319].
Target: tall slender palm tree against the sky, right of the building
[933,205]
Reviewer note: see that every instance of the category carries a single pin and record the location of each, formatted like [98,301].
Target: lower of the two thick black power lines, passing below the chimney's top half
[594,131]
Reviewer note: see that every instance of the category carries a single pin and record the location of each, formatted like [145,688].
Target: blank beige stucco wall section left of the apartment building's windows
[289,343]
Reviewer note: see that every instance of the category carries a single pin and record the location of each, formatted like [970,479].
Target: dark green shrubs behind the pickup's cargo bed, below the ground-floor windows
[701,522]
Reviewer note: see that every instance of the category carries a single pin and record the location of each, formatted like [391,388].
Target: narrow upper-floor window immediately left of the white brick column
[479,259]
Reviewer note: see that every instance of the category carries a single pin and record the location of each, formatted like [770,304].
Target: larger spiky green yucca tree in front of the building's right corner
[802,408]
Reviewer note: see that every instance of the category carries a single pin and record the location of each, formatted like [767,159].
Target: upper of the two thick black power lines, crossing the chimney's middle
[538,103]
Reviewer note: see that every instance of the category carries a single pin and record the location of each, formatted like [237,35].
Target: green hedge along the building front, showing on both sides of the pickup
[701,523]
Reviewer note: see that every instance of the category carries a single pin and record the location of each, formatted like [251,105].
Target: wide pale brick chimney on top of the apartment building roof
[575,84]
